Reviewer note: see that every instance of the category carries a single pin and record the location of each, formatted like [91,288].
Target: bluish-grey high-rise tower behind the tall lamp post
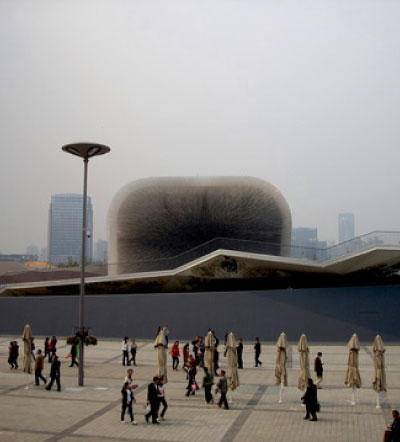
[65,229]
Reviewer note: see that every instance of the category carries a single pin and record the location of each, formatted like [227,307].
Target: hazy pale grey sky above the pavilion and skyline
[304,94]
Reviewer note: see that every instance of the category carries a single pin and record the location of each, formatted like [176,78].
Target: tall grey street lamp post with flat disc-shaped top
[85,151]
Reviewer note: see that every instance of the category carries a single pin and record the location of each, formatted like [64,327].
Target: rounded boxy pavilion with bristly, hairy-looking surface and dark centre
[158,218]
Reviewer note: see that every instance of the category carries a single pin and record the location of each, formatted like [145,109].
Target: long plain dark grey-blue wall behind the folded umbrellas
[323,314]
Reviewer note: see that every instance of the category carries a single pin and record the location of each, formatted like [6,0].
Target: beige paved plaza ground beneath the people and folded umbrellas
[92,413]
